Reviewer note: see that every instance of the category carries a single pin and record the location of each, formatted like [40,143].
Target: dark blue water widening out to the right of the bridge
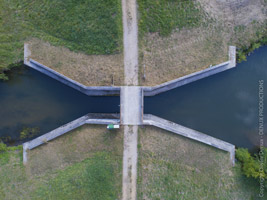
[224,105]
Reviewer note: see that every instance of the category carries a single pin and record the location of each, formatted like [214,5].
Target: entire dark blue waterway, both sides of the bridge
[224,105]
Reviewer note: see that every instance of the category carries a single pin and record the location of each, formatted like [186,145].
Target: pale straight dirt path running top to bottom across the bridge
[130,42]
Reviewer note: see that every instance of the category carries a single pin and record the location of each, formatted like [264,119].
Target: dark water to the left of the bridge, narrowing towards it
[31,99]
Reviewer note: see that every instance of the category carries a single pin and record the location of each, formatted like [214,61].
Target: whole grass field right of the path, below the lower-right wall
[173,167]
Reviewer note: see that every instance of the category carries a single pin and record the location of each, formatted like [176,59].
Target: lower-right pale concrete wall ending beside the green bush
[190,133]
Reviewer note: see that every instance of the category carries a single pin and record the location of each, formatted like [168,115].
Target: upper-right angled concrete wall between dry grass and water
[151,91]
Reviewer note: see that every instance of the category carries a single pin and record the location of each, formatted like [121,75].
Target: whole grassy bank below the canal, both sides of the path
[164,168]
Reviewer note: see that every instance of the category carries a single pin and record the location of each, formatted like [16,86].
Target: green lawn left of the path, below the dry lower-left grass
[93,178]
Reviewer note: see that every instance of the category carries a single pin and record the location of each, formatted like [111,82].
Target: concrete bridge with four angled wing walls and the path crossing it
[131,102]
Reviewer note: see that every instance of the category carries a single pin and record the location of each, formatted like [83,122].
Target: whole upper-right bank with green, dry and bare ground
[196,39]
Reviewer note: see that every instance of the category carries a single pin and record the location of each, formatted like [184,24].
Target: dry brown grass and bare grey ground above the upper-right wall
[190,50]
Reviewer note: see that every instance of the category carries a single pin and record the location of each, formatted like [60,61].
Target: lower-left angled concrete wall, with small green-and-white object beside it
[87,119]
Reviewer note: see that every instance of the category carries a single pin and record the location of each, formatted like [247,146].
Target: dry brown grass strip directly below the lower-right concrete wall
[174,148]
